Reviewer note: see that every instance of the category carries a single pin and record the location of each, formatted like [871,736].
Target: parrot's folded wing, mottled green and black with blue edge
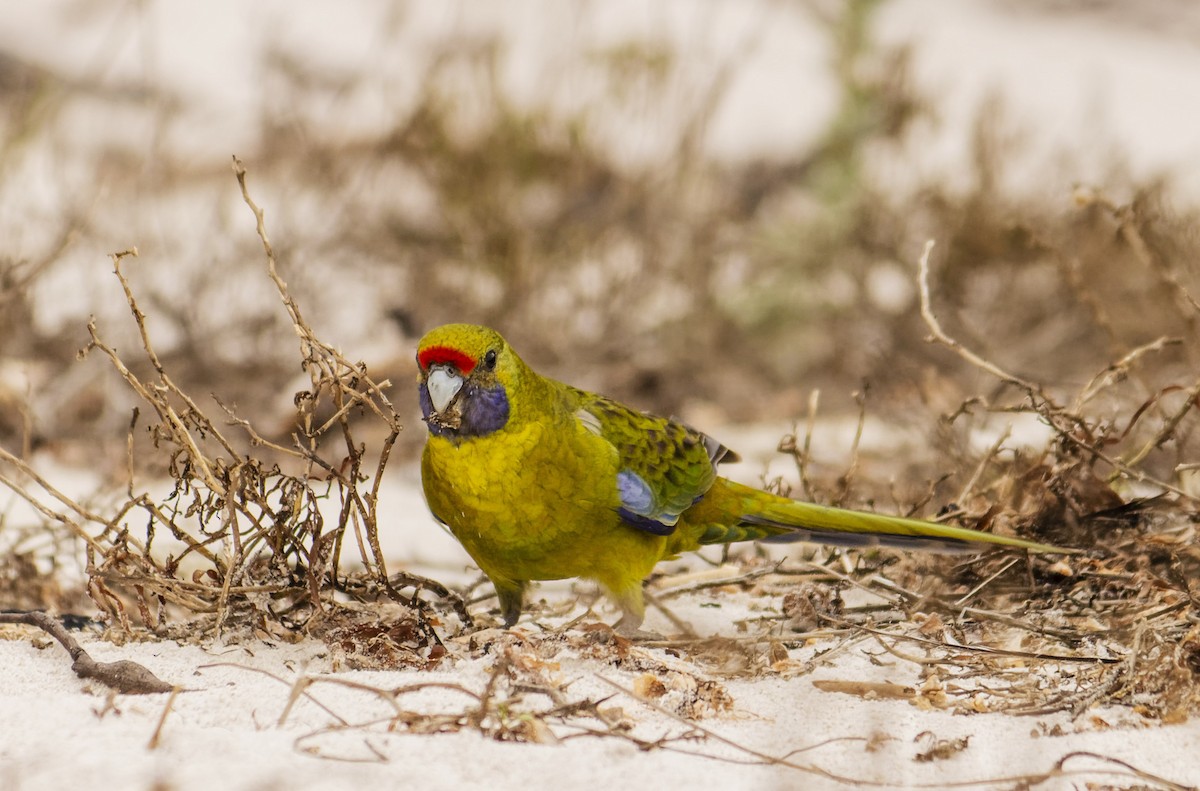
[664,466]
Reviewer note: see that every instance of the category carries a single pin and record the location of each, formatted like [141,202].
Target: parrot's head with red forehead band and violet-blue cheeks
[466,377]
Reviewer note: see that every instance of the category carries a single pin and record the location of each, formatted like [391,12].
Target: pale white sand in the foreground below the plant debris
[225,732]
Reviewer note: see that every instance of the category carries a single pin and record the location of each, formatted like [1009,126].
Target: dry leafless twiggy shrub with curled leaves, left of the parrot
[248,544]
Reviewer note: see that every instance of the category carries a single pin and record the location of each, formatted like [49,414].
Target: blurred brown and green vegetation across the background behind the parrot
[681,281]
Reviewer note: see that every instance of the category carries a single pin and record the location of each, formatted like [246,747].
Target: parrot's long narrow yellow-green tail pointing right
[777,520]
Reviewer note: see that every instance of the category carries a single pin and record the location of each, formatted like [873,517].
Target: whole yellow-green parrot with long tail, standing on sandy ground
[542,481]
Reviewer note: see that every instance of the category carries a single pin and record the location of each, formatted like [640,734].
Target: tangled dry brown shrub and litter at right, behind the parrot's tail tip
[1114,625]
